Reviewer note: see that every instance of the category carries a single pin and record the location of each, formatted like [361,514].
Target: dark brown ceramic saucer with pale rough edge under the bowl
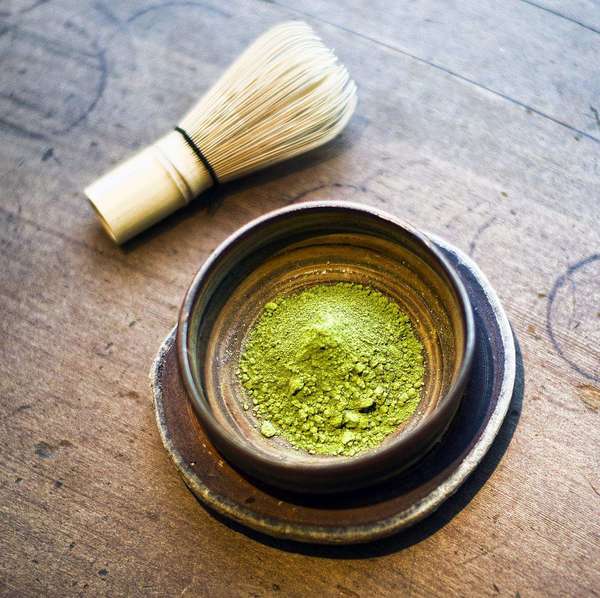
[360,515]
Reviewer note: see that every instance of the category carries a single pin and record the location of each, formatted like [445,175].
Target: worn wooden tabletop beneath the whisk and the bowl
[477,120]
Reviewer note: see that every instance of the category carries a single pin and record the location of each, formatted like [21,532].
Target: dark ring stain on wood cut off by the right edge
[573,316]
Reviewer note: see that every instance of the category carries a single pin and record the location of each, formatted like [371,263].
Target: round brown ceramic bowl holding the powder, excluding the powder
[294,248]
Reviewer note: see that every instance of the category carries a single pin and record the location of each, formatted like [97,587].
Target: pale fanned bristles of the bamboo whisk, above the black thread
[285,95]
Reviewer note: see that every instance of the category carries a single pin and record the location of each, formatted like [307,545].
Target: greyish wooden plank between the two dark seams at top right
[475,36]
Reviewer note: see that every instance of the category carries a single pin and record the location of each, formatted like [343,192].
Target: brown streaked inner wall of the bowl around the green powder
[300,249]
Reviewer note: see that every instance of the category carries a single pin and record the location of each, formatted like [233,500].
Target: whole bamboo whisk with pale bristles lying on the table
[285,95]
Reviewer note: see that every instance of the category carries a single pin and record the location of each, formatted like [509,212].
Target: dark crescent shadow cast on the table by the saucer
[431,524]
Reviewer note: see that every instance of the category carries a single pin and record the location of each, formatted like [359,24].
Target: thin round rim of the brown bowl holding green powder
[345,465]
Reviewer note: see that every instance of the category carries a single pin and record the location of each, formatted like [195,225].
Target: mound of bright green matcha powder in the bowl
[333,369]
